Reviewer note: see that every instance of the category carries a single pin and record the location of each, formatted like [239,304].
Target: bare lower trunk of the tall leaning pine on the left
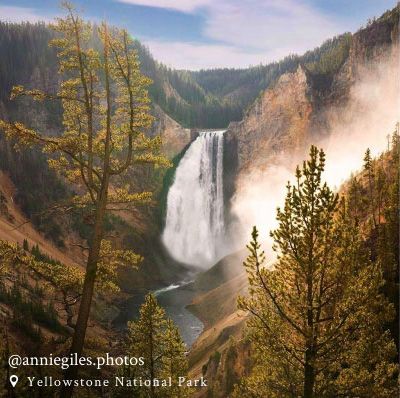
[78,339]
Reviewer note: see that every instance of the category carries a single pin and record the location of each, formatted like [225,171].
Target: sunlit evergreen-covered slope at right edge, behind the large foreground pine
[374,203]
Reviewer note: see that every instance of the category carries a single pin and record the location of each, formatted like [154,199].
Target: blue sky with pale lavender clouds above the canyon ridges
[202,34]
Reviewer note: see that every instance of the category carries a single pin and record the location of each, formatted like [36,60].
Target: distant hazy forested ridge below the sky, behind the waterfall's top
[213,98]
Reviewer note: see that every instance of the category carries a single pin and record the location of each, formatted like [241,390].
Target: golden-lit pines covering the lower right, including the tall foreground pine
[323,321]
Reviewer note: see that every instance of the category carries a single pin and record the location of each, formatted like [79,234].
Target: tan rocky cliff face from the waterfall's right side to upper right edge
[296,110]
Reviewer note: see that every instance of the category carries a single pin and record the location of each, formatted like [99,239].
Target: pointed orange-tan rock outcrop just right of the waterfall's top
[279,121]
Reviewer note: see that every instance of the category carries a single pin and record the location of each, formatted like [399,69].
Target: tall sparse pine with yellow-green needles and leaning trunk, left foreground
[105,115]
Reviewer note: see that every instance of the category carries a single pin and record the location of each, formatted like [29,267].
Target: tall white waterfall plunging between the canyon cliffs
[194,227]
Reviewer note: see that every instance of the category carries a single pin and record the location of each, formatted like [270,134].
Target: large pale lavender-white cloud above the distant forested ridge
[239,33]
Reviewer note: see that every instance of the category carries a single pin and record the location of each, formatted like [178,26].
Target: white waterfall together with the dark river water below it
[194,229]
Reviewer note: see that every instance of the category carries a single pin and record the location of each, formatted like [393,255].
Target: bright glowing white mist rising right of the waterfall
[365,122]
